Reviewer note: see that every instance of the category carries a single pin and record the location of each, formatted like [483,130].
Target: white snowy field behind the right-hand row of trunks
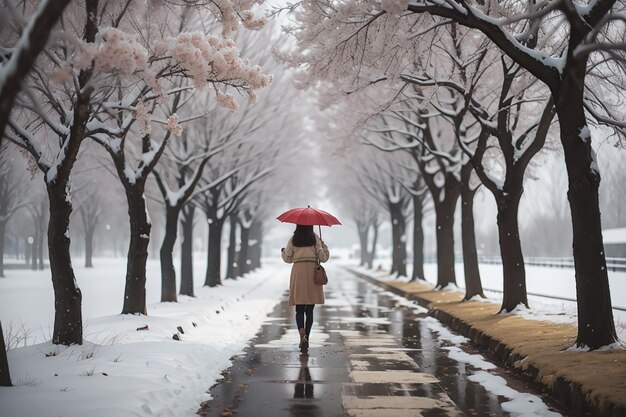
[557,282]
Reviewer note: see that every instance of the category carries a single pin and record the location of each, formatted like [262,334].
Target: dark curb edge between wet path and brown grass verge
[576,398]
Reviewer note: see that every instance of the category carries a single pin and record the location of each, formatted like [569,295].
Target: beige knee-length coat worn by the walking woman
[302,289]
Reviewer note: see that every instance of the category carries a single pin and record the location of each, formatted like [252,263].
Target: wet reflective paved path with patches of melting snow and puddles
[372,354]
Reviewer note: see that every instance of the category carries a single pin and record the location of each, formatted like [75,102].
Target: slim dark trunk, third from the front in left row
[168,273]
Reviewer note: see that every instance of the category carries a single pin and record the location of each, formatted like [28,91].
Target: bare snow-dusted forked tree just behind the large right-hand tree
[518,143]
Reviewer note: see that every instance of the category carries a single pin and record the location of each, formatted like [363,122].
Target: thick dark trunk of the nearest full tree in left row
[68,321]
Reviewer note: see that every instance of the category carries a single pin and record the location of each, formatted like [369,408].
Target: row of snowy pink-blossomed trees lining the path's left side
[154,86]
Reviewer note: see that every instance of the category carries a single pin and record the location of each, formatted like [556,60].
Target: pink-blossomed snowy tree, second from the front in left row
[166,78]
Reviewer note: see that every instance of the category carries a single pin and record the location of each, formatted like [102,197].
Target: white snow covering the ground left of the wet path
[120,370]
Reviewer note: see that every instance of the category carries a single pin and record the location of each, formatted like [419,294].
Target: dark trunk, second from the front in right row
[514,273]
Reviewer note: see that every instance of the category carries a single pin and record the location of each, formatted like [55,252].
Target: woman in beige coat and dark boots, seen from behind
[302,250]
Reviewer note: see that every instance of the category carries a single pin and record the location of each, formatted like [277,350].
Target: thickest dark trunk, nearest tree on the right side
[596,327]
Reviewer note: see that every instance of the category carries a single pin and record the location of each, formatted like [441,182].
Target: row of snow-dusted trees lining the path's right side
[476,90]
